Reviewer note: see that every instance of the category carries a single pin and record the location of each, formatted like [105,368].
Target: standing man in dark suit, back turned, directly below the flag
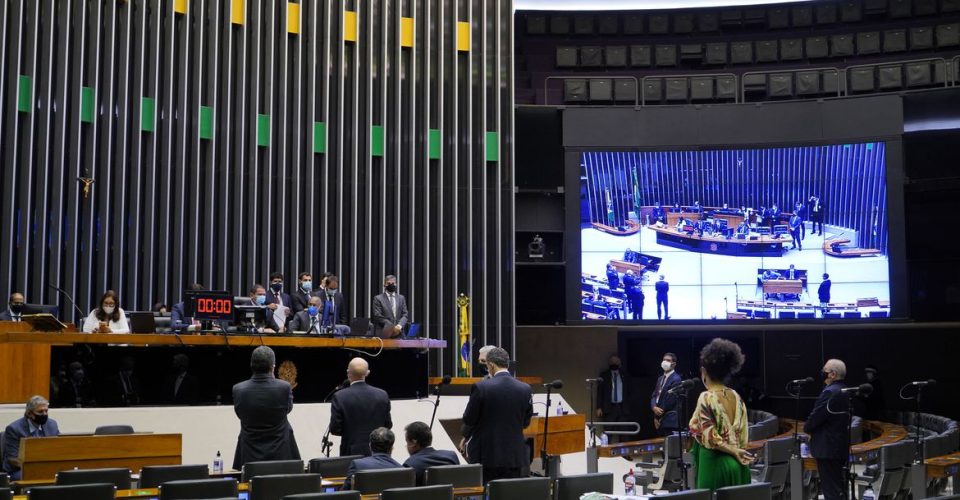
[498,410]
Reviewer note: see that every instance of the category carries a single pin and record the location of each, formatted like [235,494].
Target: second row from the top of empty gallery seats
[891,41]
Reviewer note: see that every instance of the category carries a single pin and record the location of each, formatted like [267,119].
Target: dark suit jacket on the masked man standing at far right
[828,430]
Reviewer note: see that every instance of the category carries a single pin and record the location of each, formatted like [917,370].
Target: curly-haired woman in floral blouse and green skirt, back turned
[719,422]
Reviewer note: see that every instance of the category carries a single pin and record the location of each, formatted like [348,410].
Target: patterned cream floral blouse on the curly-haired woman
[713,428]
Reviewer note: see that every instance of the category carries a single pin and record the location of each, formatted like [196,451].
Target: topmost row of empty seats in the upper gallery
[710,21]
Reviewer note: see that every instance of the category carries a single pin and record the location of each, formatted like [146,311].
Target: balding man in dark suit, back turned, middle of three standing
[357,410]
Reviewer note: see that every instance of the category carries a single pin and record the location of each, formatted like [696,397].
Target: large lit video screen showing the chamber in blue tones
[749,233]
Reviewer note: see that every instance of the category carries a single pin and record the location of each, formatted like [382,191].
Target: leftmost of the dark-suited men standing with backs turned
[262,404]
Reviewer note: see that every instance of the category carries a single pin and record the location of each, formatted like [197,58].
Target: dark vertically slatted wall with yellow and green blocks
[373,161]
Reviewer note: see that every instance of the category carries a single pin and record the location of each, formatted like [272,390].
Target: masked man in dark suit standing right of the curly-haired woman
[827,427]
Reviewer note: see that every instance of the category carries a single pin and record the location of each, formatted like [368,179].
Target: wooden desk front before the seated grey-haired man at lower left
[43,457]
